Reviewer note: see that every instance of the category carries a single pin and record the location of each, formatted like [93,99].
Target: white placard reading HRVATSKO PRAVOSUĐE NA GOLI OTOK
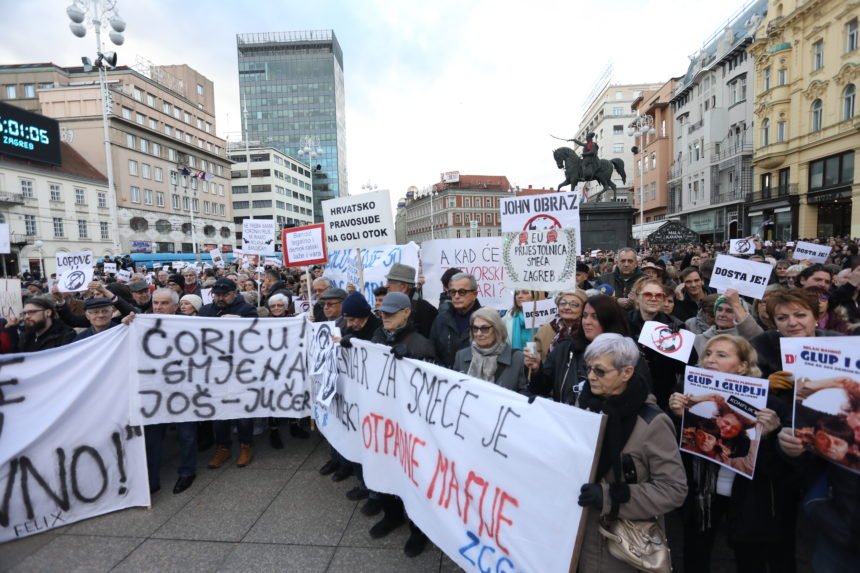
[359,221]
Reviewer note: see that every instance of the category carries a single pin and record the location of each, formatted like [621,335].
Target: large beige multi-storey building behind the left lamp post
[171,171]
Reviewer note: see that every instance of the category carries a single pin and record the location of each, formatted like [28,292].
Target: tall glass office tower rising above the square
[292,86]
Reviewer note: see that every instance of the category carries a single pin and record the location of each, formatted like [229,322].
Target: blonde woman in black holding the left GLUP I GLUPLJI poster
[756,517]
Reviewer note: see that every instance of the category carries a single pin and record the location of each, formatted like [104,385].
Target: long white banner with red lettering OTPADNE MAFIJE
[462,455]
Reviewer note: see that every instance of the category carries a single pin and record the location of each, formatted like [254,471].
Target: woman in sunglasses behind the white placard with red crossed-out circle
[648,298]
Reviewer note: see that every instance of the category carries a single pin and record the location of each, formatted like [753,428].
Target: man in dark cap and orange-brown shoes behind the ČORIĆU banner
[226,303]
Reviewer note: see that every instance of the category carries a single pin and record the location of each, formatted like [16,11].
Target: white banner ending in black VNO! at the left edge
[68,450]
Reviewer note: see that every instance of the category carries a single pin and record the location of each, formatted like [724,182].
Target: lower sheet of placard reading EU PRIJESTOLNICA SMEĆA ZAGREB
[540,260]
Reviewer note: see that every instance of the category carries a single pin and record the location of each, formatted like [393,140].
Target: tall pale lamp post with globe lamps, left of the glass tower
[102,13]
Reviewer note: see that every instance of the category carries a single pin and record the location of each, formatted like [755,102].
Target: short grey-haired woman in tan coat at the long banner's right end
[639,470]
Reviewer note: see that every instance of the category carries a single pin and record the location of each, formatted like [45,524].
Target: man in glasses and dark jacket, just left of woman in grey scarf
[450,331]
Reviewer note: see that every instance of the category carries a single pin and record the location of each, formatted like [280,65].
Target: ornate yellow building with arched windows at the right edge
[808,129]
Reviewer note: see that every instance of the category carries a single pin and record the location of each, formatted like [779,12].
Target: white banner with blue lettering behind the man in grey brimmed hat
[342,267]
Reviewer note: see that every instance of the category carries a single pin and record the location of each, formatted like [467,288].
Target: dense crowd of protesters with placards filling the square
[733,458]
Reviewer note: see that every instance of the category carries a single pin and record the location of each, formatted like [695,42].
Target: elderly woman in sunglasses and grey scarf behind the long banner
[490,356]
